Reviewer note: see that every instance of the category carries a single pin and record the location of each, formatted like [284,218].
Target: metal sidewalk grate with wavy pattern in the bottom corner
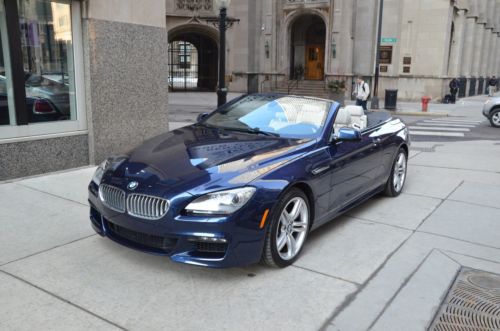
[472,304]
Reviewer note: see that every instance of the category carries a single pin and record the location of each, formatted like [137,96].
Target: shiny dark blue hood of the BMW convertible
[197,159]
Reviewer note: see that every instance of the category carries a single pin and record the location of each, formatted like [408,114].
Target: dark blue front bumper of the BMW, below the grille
[235,240]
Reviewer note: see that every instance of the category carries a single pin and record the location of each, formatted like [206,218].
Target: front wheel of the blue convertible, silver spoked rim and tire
[288,229]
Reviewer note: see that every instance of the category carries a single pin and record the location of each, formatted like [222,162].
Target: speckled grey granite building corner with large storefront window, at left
[79,80]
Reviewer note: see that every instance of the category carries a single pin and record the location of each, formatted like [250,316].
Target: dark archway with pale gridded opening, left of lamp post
[193,59]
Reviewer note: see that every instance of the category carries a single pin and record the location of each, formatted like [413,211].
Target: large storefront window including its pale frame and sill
[39,67]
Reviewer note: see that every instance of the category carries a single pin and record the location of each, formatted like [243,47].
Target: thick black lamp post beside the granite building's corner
[223,22]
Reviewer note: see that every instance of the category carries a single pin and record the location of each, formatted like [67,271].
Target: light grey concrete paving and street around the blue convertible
[386,265]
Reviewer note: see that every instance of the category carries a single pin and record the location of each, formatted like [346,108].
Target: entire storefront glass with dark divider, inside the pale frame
[47,60]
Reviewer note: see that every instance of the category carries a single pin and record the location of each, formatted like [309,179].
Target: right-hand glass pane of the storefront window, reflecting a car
[47,49]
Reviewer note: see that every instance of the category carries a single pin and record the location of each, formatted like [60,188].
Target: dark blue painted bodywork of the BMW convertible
[184,164]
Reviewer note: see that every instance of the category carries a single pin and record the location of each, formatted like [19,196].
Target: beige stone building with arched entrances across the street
[424,43]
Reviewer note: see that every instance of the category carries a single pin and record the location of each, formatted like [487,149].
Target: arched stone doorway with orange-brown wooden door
[307,56]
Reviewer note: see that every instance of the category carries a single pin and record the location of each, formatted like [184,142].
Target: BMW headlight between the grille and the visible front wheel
[222,202]
